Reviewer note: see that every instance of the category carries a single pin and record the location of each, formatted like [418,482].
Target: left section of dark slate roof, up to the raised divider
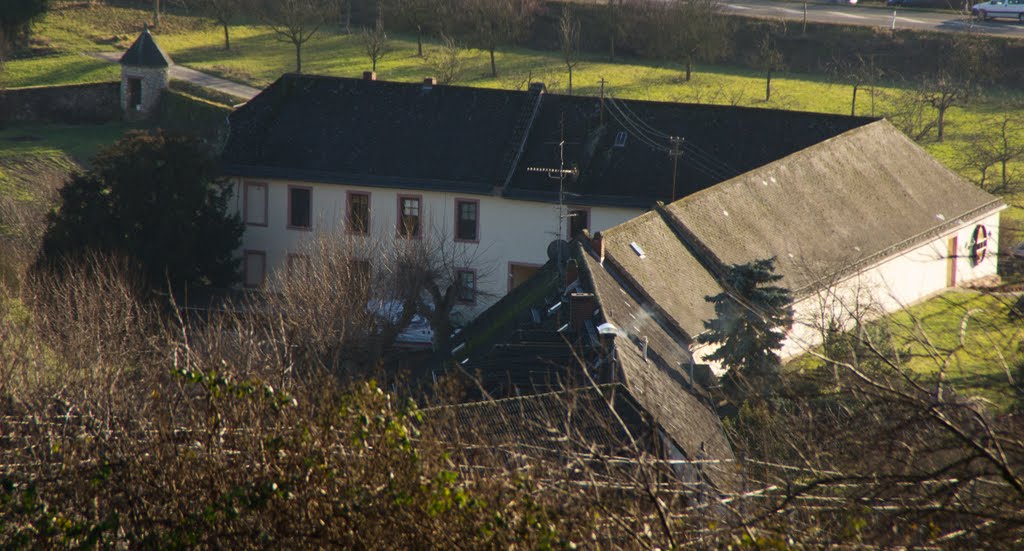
[374,133]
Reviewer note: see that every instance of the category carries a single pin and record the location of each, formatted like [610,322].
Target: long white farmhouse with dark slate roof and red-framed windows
[478,167]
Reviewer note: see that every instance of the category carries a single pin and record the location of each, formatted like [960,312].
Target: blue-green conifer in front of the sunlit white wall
[751,317]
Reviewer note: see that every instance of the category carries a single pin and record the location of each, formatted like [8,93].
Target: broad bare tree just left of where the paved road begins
[692,31]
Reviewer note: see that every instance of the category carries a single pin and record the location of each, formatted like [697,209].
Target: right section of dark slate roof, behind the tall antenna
[720,142]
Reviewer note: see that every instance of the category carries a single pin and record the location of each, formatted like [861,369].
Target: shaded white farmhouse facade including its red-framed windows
[506,240]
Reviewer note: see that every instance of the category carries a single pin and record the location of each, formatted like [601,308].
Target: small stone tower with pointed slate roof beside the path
[145,71]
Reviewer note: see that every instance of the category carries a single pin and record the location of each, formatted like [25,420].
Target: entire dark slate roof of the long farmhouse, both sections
[478,141]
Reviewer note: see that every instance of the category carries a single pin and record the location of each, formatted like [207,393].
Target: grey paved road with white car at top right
[873,17]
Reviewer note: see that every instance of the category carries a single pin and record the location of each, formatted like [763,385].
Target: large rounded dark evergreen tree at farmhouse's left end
[157,199]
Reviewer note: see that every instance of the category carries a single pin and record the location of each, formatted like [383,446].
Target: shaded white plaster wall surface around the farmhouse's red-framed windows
[509,231]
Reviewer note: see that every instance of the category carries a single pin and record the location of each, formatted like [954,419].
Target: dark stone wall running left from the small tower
[79,104]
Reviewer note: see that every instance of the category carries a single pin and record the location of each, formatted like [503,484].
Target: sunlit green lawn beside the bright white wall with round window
[967,335]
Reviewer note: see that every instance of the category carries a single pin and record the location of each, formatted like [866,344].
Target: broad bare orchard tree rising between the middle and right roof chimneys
[491,24]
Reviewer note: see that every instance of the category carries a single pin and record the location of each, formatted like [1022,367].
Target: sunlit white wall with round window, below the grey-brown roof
[888,286]
